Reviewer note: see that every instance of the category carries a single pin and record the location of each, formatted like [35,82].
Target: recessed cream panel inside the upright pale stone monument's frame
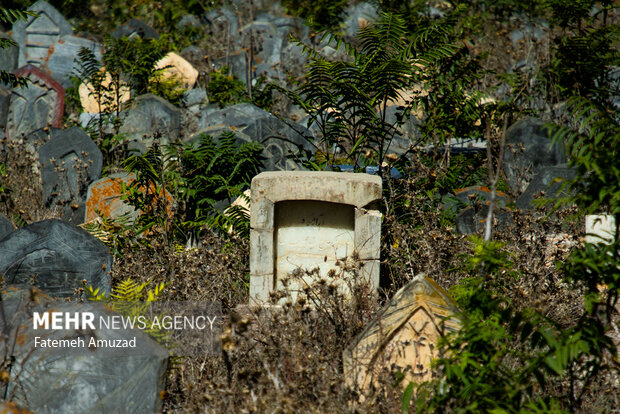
[310,235]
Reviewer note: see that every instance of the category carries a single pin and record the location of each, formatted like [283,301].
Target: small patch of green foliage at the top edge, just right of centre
[319,14]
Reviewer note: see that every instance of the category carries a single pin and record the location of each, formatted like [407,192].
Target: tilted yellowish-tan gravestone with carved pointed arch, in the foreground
[403,337]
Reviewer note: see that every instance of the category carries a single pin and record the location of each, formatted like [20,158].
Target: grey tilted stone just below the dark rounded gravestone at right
[547,182]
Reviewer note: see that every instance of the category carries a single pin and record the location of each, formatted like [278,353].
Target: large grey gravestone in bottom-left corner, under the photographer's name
[127,377]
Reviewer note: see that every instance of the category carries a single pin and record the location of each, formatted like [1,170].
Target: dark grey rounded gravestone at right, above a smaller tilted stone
[529,149]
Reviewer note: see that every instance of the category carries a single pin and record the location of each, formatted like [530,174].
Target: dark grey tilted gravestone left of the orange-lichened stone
[70,161]
